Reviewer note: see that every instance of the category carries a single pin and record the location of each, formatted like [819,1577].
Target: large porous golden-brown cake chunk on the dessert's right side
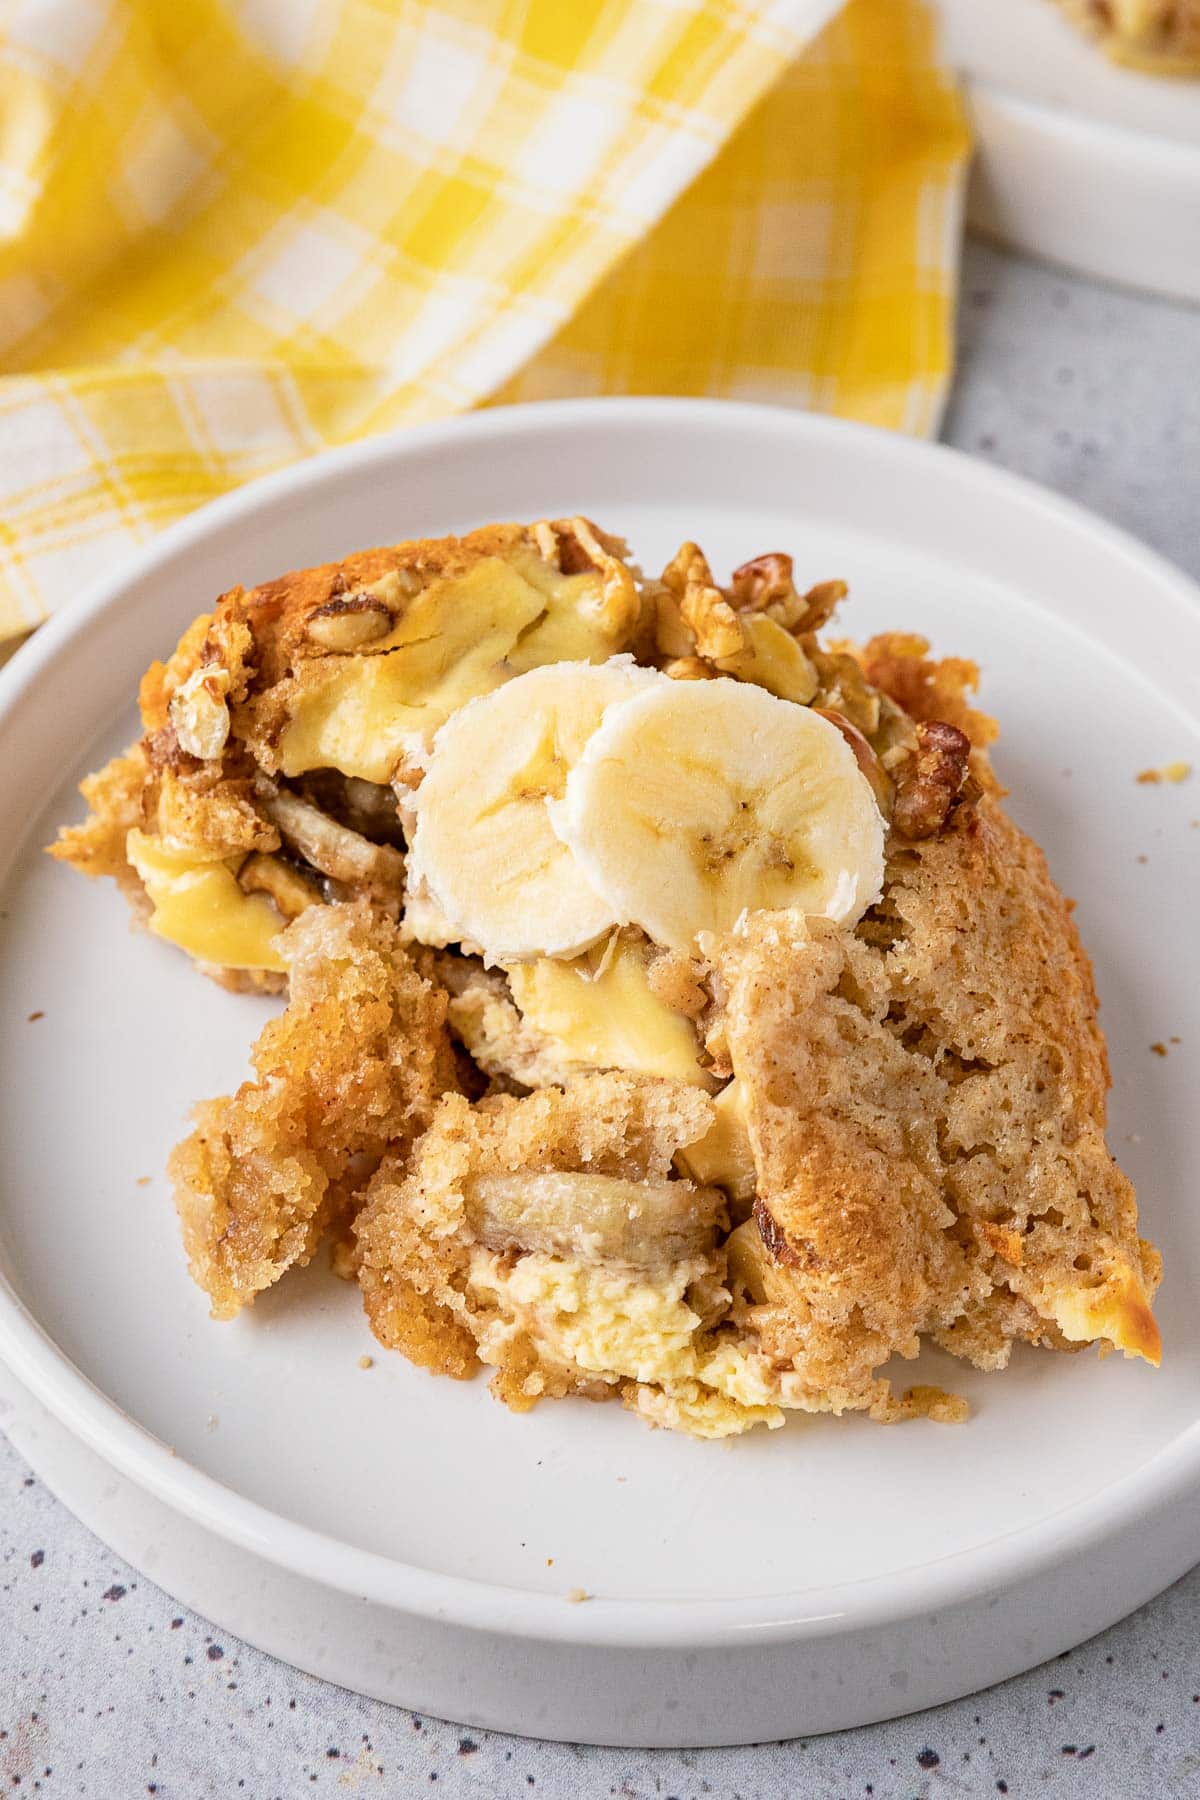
[927,1119]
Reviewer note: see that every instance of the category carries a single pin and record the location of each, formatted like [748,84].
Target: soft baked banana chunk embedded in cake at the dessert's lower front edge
[643,1225]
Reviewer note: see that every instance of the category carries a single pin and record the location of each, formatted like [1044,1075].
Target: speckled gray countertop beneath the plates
[111,1691]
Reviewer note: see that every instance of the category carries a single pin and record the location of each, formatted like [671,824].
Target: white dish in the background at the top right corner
[1080,161]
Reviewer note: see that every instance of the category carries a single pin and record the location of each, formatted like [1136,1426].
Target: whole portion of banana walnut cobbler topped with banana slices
[674,1011]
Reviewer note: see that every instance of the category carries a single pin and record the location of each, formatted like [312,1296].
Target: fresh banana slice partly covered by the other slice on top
[485,858]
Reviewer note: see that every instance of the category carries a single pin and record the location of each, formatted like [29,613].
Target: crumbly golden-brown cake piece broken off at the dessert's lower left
[348,1072]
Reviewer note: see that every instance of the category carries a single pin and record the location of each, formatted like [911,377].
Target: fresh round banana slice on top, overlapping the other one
[697,802]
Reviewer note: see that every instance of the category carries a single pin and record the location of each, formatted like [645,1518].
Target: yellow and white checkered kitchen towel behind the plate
[238,231]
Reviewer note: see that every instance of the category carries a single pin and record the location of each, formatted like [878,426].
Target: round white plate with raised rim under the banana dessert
[411,1538]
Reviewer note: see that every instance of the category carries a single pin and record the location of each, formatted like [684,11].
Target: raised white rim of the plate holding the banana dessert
[958,1579]
